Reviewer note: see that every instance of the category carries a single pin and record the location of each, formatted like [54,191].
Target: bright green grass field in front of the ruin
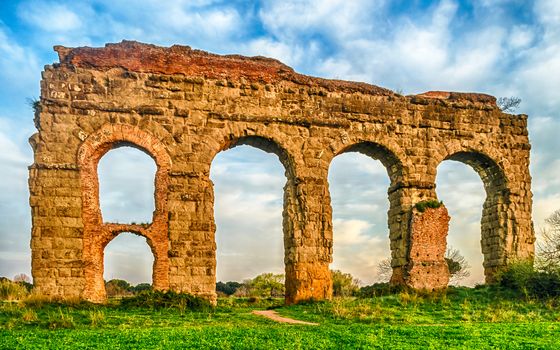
[461,318]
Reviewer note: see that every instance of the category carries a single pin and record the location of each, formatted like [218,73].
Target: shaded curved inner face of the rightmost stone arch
[497,221]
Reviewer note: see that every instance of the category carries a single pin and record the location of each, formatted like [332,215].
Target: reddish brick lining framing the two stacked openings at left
[97,234]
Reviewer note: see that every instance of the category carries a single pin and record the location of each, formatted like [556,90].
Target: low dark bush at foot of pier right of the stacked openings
[154,299]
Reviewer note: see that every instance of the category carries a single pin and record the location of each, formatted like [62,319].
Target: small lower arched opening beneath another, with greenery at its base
[128,258]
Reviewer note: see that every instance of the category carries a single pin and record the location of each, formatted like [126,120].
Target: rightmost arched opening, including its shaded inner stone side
[476,208]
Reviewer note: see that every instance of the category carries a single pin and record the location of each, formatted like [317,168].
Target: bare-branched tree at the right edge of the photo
[548,247]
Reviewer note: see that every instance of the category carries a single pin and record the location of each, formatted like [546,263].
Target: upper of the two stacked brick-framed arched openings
[126,185]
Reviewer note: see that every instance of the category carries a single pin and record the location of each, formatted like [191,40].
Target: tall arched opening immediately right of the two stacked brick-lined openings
[248,206]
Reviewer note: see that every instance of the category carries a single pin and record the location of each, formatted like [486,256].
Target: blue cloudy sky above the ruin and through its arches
[500,47]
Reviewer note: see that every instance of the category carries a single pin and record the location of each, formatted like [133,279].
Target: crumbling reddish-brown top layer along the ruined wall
[177,59]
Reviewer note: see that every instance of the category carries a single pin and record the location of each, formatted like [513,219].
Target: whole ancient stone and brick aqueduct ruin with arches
[184,106]
